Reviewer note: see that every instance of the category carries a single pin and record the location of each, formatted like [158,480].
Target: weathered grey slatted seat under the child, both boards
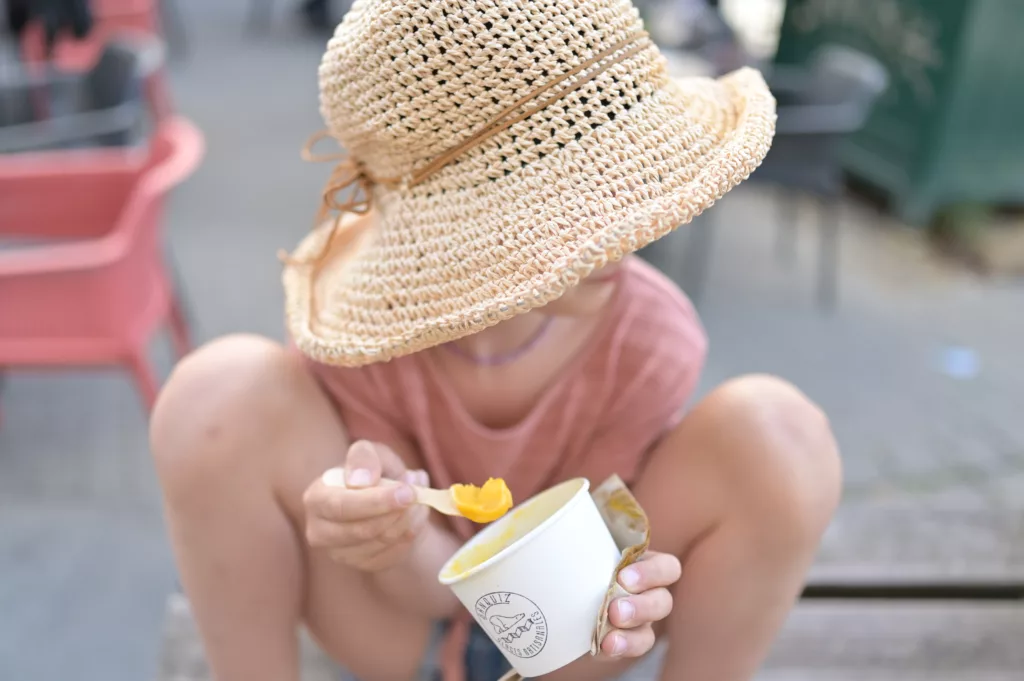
[838,640]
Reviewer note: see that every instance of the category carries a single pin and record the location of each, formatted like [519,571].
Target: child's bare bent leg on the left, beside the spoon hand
[239,433]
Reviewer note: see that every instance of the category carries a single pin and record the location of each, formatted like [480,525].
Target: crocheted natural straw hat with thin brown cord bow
[508,149]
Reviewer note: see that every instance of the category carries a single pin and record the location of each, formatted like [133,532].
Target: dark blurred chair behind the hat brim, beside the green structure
[819,106]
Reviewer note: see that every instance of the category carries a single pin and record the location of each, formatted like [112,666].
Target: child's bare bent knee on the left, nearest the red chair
[218,402]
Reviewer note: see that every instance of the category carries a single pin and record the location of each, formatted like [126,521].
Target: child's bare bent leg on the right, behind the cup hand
[742,492]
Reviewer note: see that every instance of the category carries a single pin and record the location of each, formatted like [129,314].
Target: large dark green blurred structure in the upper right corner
[951,130]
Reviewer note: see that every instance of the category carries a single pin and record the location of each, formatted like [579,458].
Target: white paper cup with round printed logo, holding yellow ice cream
[535,580]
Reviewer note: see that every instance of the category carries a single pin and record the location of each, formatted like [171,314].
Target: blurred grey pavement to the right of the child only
[880,366]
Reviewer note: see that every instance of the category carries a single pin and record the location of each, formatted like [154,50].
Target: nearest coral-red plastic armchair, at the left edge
[93,286]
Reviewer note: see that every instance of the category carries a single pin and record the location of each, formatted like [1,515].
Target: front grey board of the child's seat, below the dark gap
[835,642]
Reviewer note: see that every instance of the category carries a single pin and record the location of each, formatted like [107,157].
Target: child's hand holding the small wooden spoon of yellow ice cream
[365,525]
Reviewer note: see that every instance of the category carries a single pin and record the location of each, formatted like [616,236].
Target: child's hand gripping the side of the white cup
[634,616]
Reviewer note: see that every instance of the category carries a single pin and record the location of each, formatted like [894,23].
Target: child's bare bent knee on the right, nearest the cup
[779,454]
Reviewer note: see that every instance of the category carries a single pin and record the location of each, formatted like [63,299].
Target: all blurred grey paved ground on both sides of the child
[84,567]
